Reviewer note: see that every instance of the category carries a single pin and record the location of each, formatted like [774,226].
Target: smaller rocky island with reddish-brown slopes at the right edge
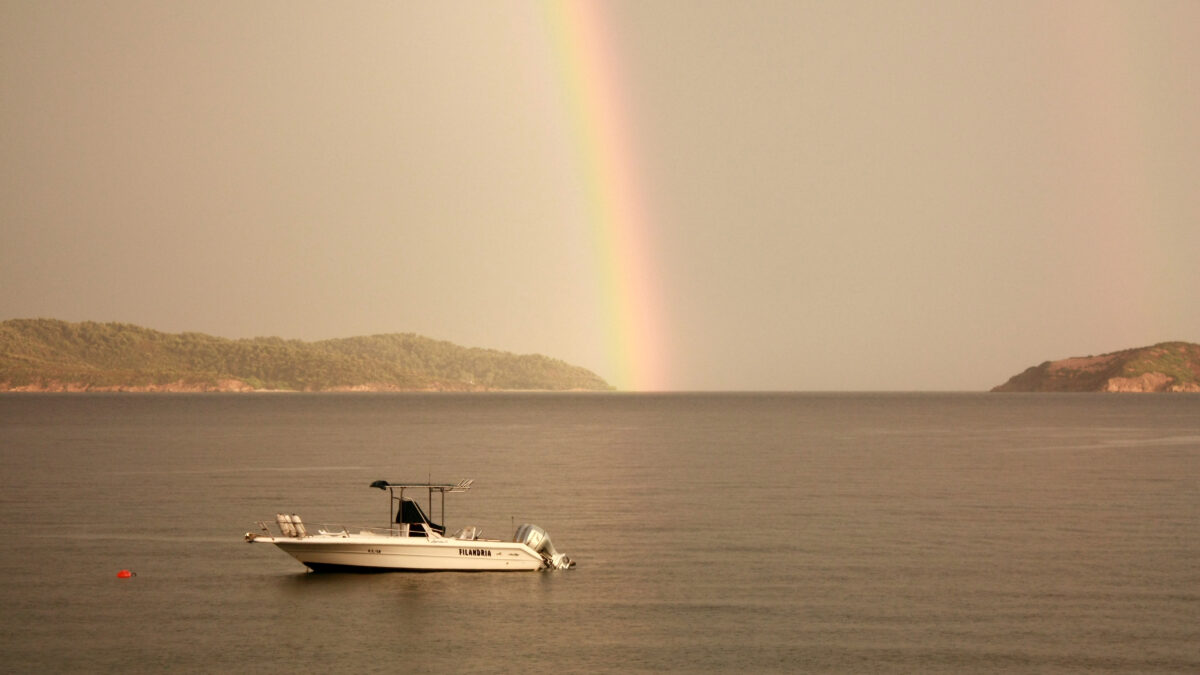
[1167,367]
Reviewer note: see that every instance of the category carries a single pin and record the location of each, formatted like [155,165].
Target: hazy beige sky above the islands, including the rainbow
[676,195]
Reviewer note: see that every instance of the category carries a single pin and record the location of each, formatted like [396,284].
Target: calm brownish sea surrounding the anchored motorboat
[857,533]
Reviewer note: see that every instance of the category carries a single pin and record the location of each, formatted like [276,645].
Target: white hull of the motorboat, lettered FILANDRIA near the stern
[417,554]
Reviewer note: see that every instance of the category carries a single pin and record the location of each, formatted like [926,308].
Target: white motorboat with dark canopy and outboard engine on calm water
[412,541]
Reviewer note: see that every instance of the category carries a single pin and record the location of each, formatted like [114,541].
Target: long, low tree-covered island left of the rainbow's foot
[56,356]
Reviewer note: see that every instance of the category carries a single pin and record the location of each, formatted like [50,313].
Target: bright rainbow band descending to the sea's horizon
[605,153]
